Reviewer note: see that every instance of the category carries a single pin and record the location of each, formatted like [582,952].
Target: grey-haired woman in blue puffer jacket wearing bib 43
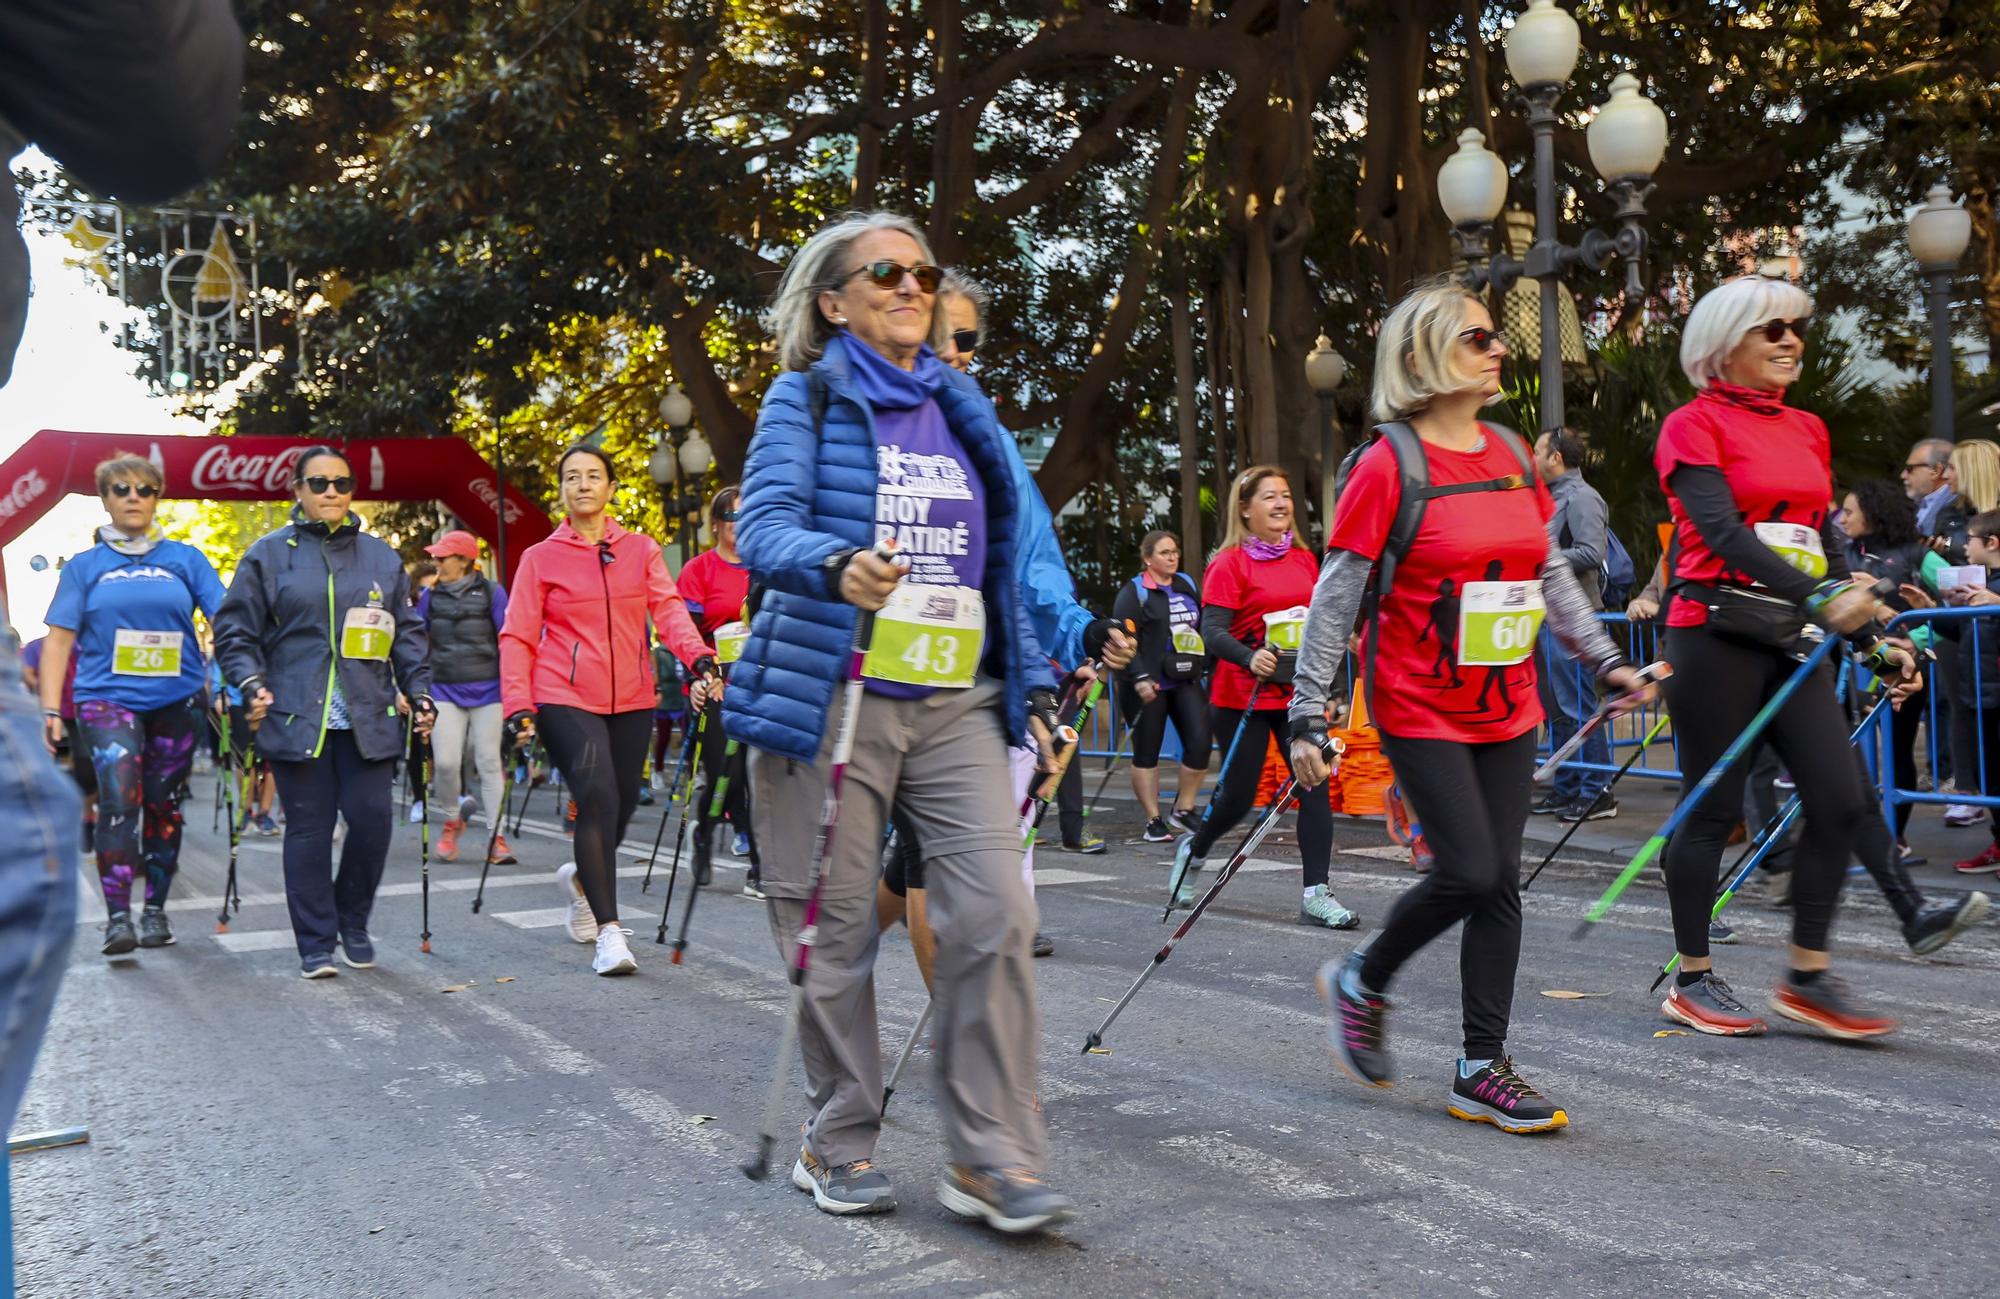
[871,439]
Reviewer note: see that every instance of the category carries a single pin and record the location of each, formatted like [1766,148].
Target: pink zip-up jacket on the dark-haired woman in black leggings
[577,625]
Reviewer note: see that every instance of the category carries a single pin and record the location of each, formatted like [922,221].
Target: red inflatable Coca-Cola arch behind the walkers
[447,471]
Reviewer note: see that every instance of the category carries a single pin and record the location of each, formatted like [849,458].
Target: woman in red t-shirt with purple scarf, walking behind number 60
[1253,607]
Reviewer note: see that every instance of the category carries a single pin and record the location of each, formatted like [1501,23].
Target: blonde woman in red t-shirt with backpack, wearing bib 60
[1457,617]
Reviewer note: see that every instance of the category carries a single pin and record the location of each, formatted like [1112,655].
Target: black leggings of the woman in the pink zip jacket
[603,760]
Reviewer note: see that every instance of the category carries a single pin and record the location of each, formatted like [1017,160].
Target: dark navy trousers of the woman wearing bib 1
[319,790]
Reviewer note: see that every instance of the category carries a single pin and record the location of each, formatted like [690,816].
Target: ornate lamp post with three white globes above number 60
[1627,145]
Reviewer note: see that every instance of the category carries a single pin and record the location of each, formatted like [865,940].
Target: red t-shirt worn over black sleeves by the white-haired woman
[1777,461]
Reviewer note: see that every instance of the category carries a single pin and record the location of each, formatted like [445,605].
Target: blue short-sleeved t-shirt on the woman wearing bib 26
[103,593]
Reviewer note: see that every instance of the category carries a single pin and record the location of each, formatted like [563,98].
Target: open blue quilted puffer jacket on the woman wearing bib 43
[809,499]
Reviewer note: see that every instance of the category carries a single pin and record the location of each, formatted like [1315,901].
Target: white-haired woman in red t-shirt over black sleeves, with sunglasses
[1751,483]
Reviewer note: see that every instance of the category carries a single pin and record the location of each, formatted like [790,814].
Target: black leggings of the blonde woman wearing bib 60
[1473,802]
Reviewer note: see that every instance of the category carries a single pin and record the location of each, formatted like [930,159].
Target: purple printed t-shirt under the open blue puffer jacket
[931,501]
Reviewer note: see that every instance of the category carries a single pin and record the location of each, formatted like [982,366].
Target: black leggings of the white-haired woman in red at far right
[1713,694]
